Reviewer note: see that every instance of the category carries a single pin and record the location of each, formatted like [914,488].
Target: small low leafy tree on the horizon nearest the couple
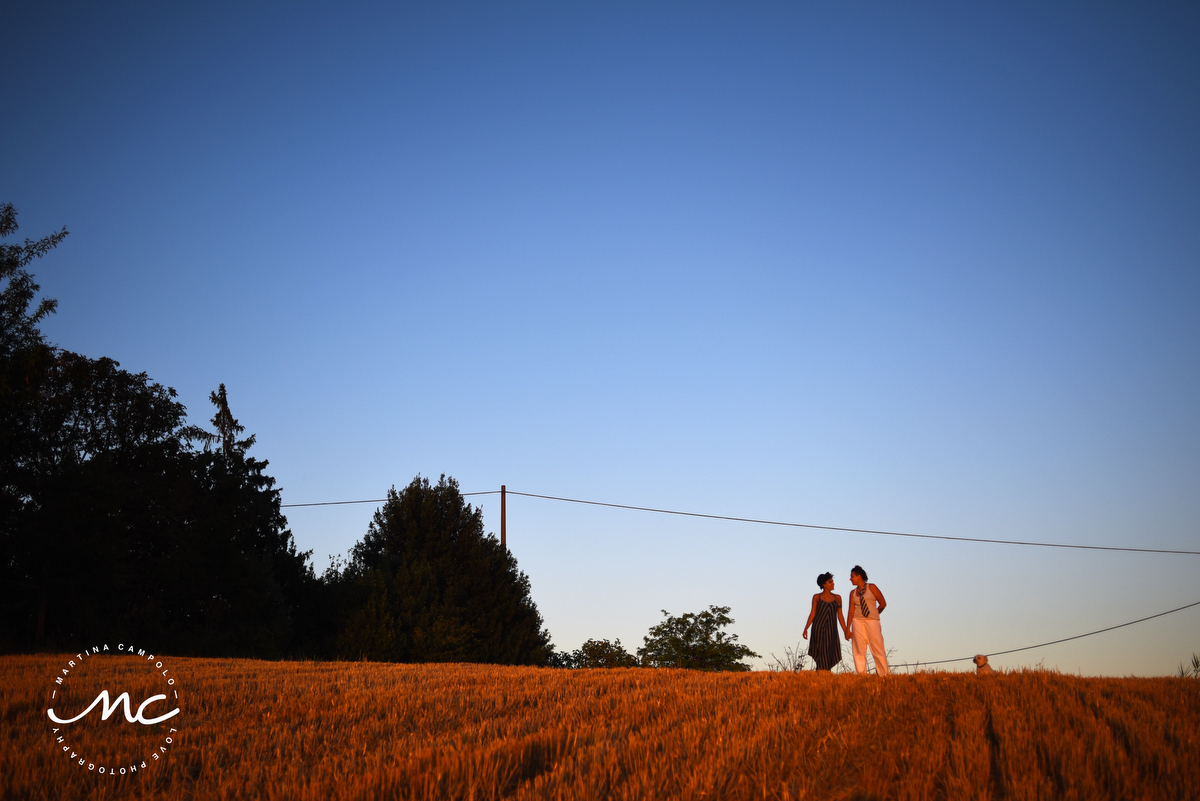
[695,641]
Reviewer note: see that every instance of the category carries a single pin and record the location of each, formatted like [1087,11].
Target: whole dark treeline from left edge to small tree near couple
[122,521]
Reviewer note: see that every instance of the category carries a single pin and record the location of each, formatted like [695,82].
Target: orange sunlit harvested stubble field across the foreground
[319,731]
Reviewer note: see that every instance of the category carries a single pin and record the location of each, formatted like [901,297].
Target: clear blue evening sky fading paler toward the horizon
[929,269]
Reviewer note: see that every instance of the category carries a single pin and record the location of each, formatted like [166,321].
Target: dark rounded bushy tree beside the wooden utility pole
[427,585]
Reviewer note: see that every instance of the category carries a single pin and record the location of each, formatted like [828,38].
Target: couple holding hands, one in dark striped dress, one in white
[862,627]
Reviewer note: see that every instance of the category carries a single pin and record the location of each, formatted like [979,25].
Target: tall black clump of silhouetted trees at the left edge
[112,522]
